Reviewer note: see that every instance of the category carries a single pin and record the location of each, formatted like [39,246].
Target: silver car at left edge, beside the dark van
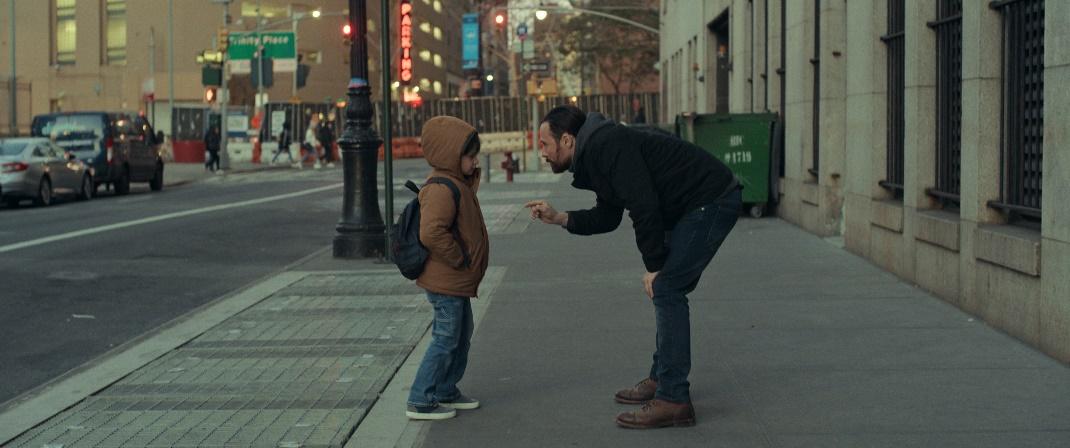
[36,168]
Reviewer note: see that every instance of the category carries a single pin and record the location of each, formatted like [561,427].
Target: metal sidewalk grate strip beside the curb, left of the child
[301,368]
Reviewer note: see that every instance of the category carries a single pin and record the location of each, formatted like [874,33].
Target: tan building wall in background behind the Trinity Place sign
[91,84]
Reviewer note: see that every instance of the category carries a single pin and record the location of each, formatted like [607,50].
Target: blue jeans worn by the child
[447,358]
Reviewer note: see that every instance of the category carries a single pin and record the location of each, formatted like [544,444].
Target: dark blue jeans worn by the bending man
[692,246]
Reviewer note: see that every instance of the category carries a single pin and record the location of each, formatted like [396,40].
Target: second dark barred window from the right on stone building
[949,27]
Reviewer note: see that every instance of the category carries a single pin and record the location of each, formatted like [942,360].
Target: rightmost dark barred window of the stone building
[1023,109]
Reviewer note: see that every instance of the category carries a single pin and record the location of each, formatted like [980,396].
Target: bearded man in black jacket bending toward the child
[667,186]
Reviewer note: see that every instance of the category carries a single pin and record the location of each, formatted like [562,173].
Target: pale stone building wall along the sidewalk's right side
[1015,276]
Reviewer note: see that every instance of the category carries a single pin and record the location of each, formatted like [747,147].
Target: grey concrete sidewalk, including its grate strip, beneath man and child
[796,344]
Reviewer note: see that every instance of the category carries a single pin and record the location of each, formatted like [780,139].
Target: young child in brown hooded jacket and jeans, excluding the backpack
[456,238]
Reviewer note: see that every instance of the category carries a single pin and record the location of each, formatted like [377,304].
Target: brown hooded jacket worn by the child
[444,141]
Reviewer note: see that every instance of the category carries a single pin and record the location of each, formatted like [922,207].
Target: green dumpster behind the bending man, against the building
[743,142]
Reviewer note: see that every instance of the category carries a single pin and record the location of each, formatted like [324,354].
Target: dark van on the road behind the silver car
[119,148]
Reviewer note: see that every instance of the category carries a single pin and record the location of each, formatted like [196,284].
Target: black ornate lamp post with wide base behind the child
[361,231]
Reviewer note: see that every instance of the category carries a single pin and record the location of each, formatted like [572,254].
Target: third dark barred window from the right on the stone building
[897,53]
